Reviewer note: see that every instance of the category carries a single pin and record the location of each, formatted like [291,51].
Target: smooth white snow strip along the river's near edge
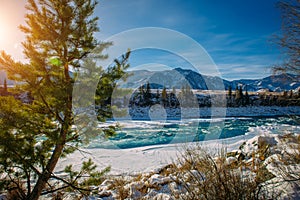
[149,158]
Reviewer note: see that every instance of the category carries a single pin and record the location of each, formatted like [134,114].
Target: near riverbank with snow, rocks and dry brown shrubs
[154,172]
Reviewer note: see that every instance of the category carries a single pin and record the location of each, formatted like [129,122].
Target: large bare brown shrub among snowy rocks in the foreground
[205,177]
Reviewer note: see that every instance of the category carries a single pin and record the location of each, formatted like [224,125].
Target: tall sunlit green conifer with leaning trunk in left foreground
[59,35]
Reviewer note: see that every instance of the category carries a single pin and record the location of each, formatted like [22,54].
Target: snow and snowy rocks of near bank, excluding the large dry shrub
[142,167]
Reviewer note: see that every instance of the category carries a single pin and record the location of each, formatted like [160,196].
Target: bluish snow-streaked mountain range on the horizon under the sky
[179,77]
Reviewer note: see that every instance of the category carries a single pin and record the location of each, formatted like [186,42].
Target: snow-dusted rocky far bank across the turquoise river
[159,112]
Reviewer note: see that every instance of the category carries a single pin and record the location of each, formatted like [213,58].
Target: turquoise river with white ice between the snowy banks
[145,133]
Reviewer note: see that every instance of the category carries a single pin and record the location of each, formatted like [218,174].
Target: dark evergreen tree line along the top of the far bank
[145,97]
